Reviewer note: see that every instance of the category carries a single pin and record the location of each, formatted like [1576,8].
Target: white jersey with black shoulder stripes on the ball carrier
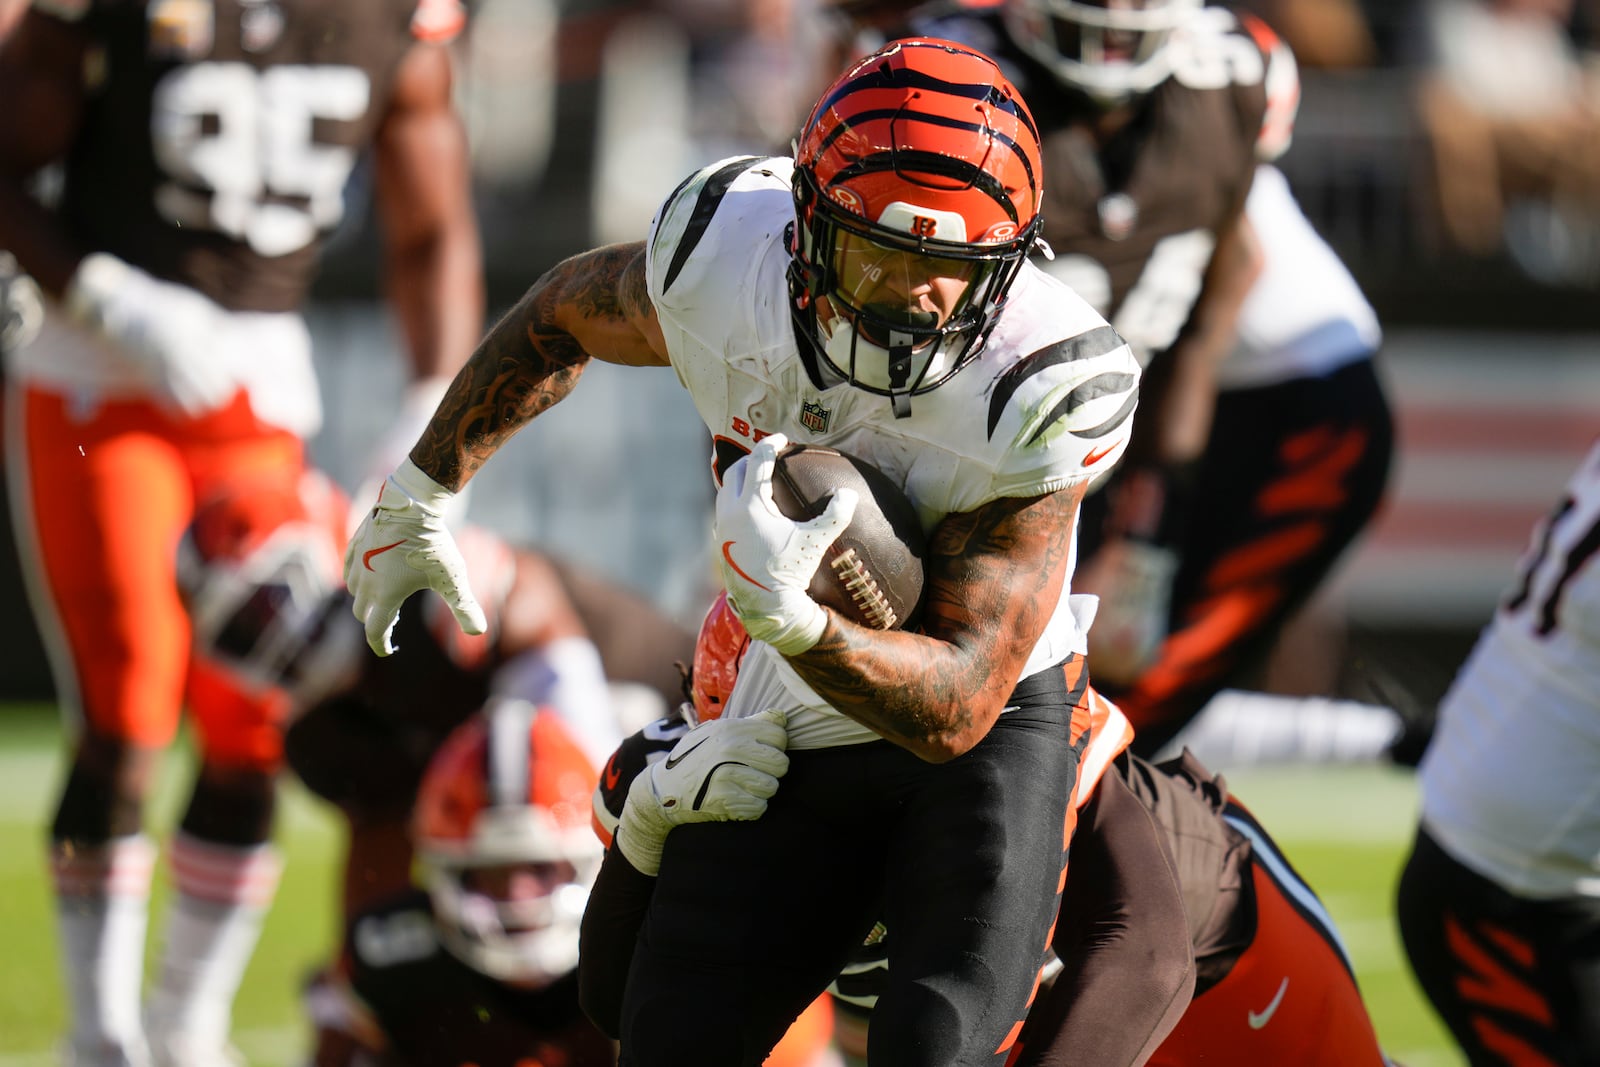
[1046,406]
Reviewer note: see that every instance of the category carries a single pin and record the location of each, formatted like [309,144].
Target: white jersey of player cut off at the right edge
[1511,781]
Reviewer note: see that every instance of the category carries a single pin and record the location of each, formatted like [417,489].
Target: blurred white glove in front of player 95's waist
[172,332]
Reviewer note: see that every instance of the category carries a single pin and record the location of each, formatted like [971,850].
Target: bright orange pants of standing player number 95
[102,502]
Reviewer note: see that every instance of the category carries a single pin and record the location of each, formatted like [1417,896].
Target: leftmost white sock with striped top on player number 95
[103,898]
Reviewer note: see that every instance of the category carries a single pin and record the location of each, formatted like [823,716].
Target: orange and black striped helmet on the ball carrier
[921,161]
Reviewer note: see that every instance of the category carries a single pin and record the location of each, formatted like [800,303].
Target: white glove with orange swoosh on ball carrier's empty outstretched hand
[401,548]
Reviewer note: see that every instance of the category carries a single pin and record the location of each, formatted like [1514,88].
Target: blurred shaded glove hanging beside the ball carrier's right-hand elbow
[1135,586]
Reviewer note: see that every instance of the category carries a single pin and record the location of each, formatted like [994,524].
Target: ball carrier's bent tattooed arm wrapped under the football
[994,580]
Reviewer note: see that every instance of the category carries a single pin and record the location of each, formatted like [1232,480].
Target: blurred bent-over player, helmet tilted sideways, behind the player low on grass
[273,615]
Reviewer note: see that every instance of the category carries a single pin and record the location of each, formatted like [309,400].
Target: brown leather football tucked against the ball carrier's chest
[874,570]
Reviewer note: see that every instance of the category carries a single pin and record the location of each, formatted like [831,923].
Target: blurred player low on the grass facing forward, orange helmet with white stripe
[479,964]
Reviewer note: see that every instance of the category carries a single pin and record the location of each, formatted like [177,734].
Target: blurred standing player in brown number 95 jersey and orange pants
[202,154]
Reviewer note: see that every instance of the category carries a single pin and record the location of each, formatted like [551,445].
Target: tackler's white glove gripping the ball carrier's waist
[719,772]
